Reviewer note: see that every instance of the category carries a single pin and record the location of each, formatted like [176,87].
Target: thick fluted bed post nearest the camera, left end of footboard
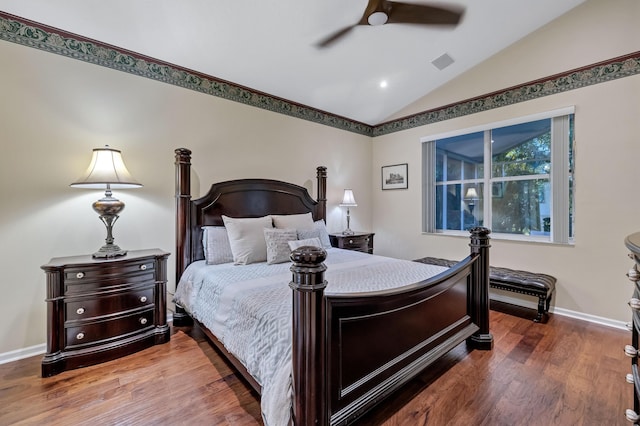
[309,368]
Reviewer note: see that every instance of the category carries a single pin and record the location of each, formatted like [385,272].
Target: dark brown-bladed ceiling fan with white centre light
[380,12]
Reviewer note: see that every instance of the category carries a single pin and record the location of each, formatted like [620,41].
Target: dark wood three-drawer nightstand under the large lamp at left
[102,309]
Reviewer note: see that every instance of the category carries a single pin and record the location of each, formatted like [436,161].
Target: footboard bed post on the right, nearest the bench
[482,339]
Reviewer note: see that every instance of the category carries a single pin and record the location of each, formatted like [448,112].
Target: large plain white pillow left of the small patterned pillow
[246,238]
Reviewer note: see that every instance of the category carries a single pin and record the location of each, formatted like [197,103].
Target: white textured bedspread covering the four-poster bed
[249,309]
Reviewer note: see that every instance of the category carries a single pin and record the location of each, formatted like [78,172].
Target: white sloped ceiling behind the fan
[269,45]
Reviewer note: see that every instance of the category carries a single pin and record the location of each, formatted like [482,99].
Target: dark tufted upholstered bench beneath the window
[524,282]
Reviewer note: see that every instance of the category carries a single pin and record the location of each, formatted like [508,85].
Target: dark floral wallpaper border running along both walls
[32,34]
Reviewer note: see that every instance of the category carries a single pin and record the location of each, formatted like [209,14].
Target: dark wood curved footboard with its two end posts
[375,342]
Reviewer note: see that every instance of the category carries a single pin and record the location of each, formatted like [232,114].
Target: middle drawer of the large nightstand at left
[79,309]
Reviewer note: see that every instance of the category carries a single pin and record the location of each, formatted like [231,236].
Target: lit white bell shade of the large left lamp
[106,167]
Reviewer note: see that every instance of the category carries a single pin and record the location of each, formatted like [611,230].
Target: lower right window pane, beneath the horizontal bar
[521,207]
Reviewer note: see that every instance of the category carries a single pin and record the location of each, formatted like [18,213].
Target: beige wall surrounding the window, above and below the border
[590,274]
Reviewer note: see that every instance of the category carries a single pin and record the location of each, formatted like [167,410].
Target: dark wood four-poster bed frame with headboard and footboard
[348,350]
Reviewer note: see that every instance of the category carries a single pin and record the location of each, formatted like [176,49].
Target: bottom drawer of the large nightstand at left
[91,332]
